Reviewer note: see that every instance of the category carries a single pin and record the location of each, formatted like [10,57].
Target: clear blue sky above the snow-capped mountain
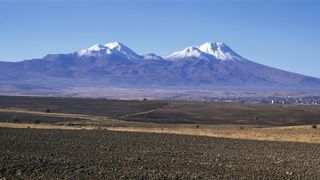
[279,33]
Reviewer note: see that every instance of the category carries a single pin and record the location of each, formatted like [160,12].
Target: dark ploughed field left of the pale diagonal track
[97,107]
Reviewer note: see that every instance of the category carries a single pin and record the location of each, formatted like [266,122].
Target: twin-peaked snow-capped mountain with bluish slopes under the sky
[114,64]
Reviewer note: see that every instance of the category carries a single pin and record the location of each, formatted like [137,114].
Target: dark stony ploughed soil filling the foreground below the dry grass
[99,154]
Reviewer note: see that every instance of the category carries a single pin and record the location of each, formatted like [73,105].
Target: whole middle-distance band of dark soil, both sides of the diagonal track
[170,112]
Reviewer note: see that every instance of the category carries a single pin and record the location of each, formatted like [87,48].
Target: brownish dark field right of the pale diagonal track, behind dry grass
[231,113]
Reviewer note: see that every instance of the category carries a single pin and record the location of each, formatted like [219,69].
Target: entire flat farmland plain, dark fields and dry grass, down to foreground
[67,138]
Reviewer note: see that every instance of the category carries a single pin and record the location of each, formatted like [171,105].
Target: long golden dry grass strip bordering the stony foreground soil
[290,134]
